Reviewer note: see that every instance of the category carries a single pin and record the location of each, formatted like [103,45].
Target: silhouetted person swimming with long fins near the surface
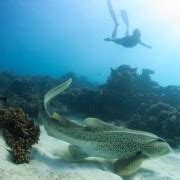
[128,41]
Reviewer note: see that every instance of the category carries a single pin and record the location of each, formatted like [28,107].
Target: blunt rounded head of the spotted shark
[156,147]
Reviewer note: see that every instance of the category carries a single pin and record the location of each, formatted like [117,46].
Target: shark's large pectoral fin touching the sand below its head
[125,167]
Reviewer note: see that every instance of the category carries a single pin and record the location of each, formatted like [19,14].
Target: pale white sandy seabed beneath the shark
[50,161]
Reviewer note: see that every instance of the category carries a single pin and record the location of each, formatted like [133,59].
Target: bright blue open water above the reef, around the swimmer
[57,36]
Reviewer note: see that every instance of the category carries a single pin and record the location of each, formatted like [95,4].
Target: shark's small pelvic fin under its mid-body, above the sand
[76,152]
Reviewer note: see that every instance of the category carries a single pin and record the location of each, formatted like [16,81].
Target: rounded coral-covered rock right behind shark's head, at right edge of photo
[161,119]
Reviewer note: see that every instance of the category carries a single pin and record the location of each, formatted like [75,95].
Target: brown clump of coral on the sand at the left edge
[20,133]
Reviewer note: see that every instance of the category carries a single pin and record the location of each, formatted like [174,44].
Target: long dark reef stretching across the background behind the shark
[128,97]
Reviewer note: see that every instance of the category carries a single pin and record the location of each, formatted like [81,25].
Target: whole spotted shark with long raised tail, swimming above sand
[95,138]
